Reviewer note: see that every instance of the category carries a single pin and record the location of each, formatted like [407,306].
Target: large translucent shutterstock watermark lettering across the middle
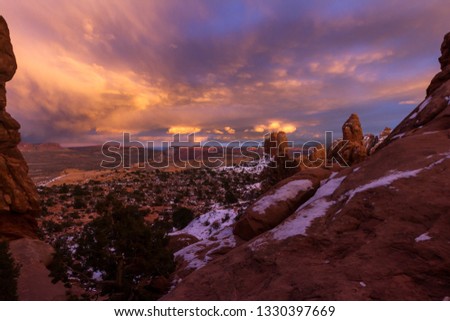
[185,152]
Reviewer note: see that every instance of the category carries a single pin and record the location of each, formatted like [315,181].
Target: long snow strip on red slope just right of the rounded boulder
[306,213]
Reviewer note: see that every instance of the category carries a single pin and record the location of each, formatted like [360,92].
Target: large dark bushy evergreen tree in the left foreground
[125,250]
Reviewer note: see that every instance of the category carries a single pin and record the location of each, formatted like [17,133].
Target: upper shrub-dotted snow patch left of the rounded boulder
[205,225]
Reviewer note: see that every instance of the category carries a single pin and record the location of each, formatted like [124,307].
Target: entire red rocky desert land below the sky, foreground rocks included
[365,217]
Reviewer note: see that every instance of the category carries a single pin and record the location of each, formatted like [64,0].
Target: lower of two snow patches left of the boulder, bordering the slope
[192,254]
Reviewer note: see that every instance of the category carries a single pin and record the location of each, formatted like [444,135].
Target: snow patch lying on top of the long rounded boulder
[290,190]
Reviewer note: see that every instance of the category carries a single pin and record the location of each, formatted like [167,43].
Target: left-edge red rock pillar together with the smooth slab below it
[19,202]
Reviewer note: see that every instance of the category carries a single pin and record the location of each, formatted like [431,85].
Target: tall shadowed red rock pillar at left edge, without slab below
[18,197]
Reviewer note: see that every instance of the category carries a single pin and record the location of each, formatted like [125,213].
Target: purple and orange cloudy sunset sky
[90,70]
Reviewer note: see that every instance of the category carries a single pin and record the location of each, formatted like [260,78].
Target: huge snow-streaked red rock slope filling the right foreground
[374,231]
